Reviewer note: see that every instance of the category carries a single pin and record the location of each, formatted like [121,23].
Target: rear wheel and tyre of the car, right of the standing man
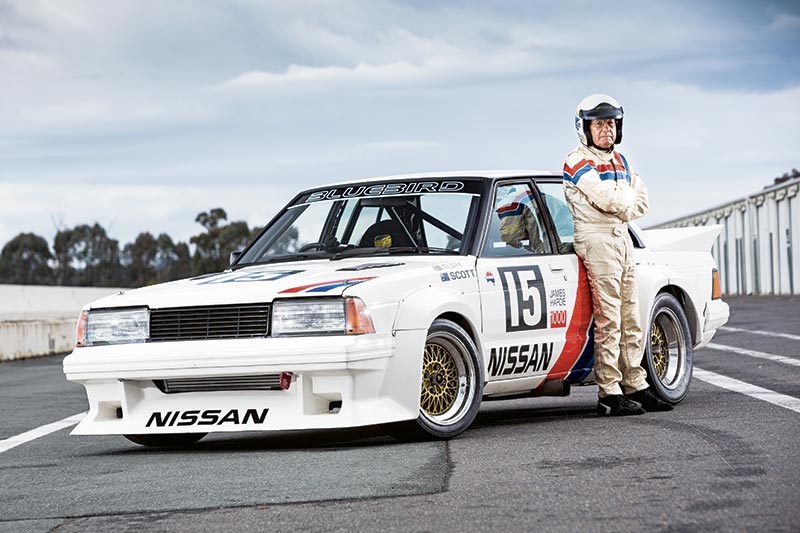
[668,351]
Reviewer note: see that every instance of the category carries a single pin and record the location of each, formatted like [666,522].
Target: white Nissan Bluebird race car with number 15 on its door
[403,301]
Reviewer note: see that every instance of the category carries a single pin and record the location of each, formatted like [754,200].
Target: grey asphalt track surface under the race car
[723,460]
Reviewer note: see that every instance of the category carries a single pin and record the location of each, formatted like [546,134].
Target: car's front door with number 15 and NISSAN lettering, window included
[528,293]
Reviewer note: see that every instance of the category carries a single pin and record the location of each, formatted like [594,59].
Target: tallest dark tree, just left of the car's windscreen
[213,248]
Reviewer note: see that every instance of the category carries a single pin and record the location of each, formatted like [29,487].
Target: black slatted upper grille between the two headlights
[209,322]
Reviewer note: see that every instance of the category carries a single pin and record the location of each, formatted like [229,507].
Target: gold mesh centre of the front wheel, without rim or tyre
[440,382]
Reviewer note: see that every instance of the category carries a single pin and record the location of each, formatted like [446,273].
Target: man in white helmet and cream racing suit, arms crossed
[604,194]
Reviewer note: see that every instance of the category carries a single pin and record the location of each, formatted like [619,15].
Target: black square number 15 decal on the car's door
[524,292]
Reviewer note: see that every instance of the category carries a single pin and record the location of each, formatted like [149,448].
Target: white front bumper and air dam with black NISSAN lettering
[337,382]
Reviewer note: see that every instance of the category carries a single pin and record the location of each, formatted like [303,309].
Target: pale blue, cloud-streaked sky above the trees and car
[140,114]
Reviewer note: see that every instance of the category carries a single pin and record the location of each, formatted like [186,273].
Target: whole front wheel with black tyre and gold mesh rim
[452,385]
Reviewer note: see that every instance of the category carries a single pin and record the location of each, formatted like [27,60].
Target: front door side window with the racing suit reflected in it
[516,227]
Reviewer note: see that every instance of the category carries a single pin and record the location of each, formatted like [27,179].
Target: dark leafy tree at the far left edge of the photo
[25,260]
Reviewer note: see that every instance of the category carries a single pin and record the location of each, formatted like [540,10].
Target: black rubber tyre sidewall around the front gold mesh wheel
[442,431]
